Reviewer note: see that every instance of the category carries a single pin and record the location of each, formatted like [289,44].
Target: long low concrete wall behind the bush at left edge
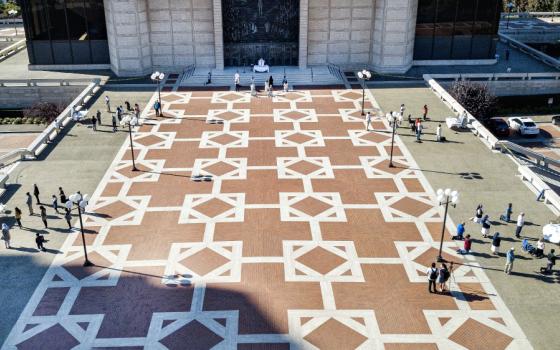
[26,96]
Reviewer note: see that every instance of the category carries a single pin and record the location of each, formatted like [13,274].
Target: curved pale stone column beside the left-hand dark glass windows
[128,37]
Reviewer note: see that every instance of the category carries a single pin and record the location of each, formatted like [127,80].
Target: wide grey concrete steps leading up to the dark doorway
[295,76]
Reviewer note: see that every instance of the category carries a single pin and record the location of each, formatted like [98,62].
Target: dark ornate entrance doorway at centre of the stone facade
[255,29]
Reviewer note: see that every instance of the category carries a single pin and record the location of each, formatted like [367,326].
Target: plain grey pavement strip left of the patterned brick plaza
[77,162]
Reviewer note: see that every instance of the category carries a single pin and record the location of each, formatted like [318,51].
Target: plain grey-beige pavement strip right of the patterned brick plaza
[490,178]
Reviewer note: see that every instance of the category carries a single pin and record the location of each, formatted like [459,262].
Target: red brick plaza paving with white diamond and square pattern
[301,235]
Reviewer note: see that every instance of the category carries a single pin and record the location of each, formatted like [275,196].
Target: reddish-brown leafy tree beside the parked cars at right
[475,98]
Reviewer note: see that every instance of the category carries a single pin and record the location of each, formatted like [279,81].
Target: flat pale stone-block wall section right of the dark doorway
[340,31]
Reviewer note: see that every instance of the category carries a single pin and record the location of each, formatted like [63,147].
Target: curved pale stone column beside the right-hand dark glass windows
[393,35]
